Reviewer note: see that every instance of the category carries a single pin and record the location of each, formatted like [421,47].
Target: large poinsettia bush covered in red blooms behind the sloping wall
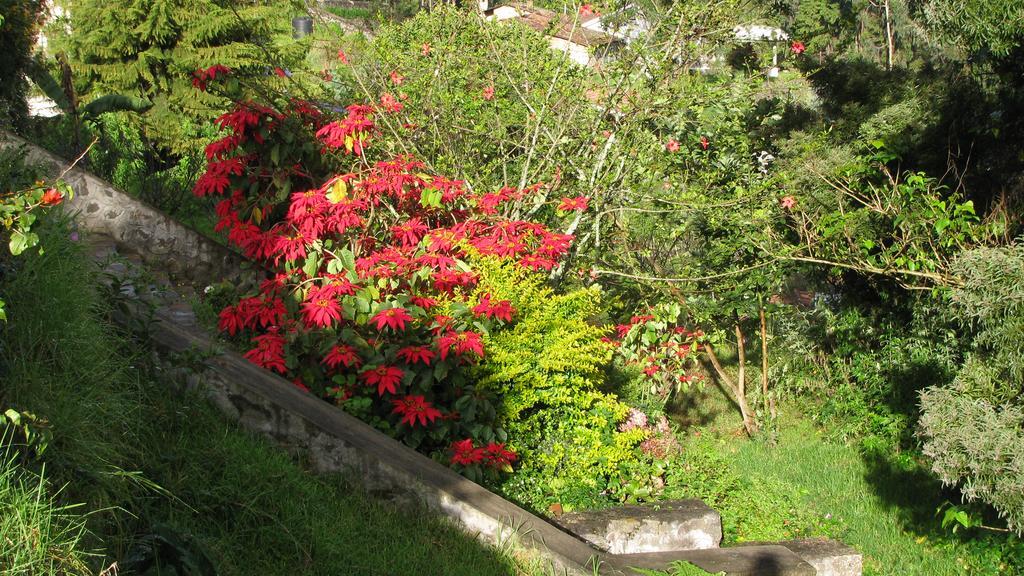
[370,301]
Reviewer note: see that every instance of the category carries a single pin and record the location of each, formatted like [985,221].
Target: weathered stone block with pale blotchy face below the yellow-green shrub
[669,526]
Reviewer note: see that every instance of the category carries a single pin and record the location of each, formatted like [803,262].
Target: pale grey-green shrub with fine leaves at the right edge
[974,429]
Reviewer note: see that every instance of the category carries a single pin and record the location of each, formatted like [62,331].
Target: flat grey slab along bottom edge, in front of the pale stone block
[771,560]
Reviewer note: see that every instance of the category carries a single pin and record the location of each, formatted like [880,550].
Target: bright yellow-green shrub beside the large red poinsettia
[546,371]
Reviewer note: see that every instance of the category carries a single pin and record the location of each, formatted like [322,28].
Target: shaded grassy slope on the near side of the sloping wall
[144,460]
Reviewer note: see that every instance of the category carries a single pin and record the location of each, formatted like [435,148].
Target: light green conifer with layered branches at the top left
[150,49]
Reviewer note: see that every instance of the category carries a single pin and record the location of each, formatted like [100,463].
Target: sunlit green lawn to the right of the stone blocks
[883,505]
